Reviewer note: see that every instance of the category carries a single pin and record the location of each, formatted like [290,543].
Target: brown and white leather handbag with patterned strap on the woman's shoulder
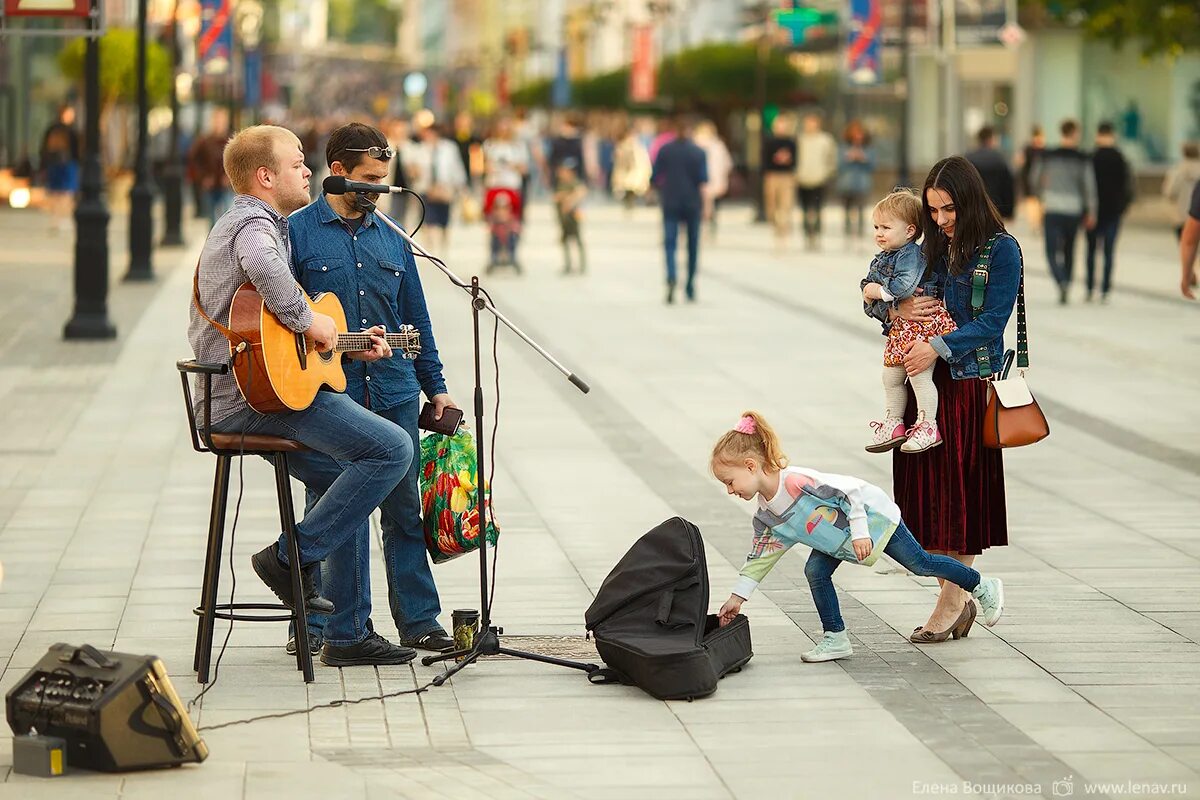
[1013,418]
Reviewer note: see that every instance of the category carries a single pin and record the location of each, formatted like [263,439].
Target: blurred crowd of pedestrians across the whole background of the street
[472,171]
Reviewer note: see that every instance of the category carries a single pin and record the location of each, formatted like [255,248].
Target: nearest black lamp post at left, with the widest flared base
[91,318]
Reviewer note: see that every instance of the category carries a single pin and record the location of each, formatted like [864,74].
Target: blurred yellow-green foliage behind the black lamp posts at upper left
[119,68]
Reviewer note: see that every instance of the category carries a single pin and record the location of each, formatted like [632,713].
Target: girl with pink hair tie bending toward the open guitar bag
[842,519]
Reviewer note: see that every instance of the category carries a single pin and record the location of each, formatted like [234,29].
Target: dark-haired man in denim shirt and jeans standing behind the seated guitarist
[339,249]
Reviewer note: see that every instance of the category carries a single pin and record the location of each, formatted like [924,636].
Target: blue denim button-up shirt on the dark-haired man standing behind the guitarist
[375,276]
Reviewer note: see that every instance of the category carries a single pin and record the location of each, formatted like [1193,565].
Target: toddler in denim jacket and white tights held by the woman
[896,274]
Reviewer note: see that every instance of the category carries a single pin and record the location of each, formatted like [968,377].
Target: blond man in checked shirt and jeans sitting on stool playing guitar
[356,458]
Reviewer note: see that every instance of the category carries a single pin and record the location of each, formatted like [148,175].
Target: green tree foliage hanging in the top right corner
[1161,27]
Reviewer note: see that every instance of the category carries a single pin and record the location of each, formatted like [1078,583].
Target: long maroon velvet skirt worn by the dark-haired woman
[953,497]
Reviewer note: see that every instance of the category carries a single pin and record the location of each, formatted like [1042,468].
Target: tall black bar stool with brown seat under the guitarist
[226,447]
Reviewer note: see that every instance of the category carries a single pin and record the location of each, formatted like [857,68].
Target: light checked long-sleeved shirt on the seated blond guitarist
[250,243]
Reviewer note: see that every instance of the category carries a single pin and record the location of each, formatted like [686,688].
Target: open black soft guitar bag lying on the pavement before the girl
[652,624]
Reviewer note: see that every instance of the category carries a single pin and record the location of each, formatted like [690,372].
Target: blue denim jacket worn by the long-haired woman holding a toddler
[958,348]
